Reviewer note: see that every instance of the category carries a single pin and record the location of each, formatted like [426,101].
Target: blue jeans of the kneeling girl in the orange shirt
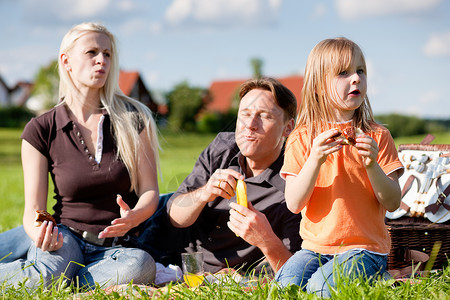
[319,274]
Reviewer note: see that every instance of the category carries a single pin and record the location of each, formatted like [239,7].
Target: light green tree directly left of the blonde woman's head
[46,84]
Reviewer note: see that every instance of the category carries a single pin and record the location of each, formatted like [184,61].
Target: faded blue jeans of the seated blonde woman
[92,264]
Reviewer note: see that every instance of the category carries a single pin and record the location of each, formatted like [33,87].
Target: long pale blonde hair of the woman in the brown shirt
[128,116]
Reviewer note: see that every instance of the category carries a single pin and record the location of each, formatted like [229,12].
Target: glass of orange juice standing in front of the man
[192,265]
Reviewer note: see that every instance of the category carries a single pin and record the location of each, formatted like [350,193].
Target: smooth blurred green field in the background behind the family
[177,157]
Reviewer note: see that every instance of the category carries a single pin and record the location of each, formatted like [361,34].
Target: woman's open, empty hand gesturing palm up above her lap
[121,225]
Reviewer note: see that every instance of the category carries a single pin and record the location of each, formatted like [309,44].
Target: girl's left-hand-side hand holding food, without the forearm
[323,145]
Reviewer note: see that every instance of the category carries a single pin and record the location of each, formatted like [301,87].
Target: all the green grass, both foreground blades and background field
[178,155]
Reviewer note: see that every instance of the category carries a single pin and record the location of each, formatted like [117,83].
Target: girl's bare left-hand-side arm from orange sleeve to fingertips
[299,188]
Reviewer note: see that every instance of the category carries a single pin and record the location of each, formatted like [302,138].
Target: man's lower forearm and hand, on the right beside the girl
[253,226]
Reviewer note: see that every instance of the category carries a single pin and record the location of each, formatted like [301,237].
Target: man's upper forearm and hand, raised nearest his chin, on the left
[186,208]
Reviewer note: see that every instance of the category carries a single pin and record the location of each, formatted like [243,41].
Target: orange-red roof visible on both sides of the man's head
[222,92]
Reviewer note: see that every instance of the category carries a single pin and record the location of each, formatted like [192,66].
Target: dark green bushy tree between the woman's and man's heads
[184,104]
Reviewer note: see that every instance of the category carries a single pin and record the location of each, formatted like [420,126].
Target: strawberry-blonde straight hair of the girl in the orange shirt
[329,58]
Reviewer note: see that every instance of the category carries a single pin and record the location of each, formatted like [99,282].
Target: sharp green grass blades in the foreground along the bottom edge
[432,286]
